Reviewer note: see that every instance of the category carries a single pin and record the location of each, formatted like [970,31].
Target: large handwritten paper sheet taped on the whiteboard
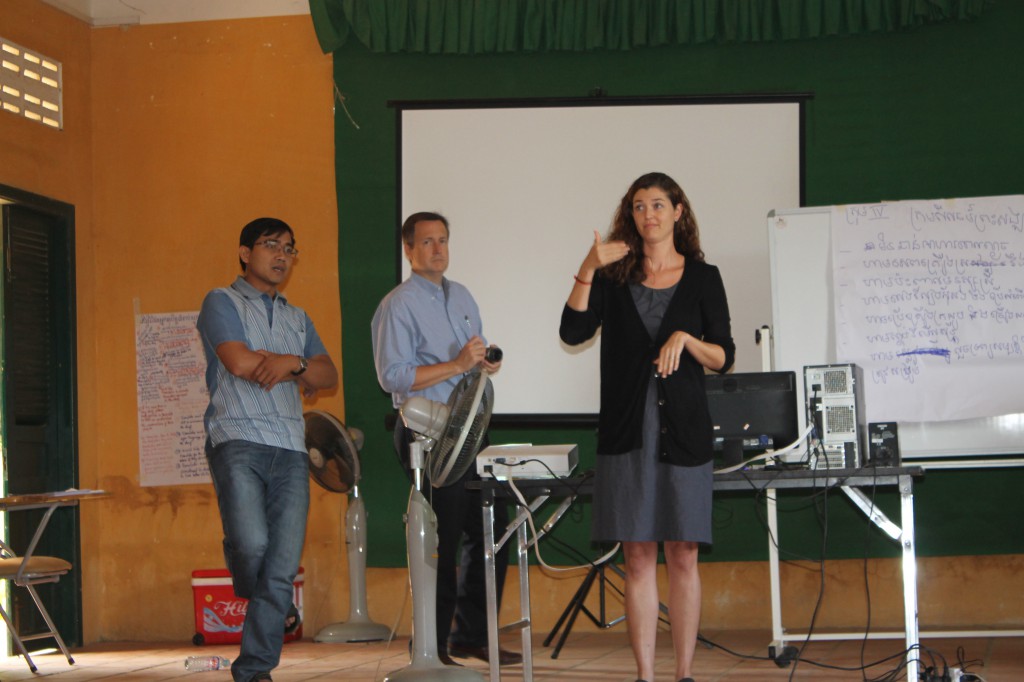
[930,304]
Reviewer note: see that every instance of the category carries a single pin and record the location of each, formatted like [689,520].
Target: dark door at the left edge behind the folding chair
[38,393]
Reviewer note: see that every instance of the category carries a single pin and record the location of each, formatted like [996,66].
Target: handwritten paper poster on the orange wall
[173,399]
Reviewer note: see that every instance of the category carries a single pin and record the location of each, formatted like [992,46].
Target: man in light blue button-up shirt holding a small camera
[428,334]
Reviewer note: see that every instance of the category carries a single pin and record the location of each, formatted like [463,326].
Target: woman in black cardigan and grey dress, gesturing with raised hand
[664,320]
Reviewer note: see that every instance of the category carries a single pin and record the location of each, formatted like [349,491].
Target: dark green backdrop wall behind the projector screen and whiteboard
[933,113]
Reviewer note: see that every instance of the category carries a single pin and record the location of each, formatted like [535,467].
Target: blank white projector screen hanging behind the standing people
[525,188]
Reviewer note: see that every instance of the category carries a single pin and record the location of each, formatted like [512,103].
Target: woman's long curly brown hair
[687,237]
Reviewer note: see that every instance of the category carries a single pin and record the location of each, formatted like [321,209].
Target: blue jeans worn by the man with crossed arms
[264,495]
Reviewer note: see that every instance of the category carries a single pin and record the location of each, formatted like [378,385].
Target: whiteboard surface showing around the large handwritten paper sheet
[803,322]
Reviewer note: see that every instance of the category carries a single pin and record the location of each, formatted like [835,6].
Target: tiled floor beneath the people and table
[596,657]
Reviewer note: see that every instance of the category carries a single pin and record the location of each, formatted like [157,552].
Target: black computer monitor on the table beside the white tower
[752,413]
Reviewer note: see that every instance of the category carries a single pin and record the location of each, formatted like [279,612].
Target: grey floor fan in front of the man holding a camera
[448,438]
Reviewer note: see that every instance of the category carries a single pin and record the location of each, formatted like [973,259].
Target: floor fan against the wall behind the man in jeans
[334,463]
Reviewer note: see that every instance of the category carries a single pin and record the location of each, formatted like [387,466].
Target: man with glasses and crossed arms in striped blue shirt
[262,352]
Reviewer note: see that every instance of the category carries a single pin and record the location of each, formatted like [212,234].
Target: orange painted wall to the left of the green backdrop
[176,137]
